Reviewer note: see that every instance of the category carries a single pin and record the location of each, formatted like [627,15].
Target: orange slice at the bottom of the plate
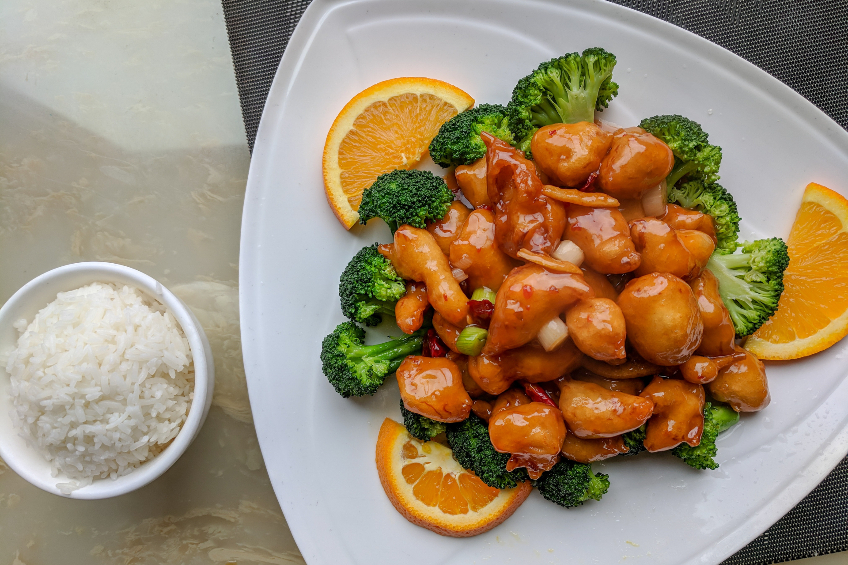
[431,490]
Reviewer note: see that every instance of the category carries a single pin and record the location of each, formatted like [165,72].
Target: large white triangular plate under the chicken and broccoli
[319,448]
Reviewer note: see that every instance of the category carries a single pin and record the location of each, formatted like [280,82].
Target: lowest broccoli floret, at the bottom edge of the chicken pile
[571,484]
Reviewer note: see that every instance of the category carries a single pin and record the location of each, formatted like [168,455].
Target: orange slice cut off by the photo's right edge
[813,311]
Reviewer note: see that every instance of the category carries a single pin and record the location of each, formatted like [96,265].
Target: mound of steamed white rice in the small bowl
[101,381]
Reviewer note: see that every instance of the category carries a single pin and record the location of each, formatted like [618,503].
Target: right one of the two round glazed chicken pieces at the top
[636,162]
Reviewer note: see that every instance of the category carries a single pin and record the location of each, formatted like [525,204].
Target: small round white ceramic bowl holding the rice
[34,296]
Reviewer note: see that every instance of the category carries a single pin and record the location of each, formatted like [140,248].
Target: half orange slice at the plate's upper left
[385,127]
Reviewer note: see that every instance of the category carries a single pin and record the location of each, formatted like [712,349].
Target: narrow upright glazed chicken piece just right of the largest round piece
[719,333]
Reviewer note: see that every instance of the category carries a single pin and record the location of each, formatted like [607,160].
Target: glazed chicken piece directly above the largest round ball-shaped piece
[665,250]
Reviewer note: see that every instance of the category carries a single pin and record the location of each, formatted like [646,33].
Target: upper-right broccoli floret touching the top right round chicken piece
[693,154]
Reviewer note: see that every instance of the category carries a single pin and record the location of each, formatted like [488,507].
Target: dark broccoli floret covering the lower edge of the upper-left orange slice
[406,197]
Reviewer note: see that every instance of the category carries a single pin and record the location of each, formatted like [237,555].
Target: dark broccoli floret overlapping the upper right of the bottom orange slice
[473,449]
